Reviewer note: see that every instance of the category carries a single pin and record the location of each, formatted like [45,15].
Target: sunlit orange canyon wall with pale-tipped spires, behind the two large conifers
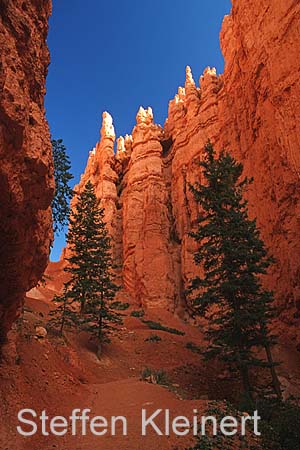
[251,110]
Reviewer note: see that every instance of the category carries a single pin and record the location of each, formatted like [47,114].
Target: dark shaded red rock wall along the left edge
[26,179]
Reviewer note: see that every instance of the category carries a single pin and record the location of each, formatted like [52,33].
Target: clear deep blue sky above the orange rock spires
[116,55]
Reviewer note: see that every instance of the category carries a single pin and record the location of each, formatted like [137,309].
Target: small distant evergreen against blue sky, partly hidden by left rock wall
[63,192]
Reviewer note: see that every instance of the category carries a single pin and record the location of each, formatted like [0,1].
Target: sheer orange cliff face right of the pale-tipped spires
[267,111]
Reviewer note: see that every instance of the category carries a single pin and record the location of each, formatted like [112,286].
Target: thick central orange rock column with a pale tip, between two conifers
[148,266]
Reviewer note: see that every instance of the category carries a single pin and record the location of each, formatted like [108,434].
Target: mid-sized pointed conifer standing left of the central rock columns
[90,267]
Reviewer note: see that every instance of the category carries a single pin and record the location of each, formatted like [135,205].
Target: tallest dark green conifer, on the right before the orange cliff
[233,257]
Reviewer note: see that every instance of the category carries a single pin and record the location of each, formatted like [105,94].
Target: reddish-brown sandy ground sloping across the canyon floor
[59,376]
